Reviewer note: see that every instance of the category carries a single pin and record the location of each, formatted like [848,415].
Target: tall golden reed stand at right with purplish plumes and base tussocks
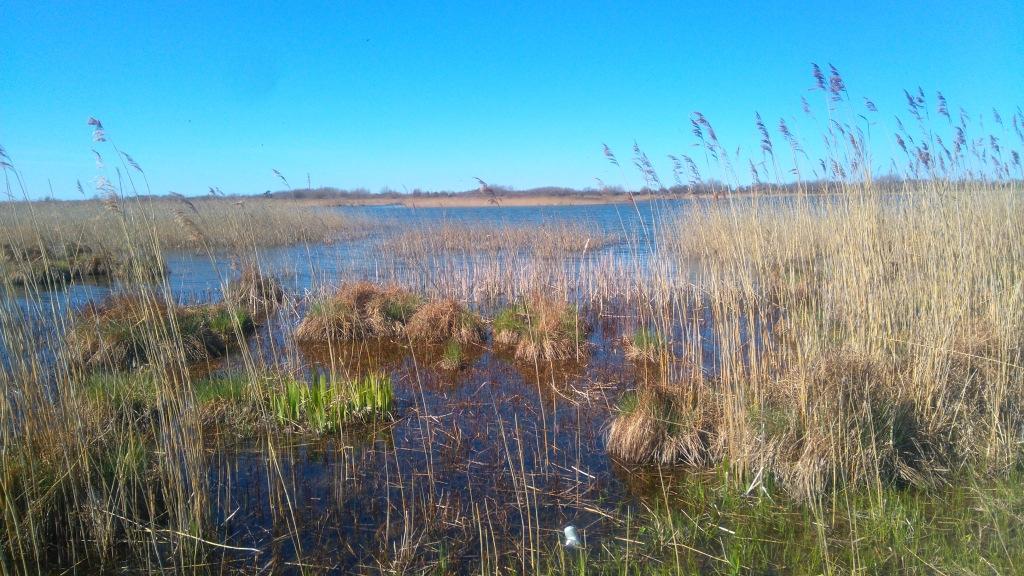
[869,337]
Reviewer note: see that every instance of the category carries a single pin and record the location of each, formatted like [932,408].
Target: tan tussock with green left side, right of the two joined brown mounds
[542,328]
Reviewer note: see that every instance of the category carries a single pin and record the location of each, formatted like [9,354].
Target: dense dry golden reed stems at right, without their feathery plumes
[892,331]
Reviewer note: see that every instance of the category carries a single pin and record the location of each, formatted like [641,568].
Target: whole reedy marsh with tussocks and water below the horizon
[770,384]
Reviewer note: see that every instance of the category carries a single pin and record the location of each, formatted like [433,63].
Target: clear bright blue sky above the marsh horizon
[433,95]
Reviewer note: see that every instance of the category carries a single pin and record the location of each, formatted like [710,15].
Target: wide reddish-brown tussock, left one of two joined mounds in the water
[358,311]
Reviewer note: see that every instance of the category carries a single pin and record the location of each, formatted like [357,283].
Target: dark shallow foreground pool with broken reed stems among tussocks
[501,435]
